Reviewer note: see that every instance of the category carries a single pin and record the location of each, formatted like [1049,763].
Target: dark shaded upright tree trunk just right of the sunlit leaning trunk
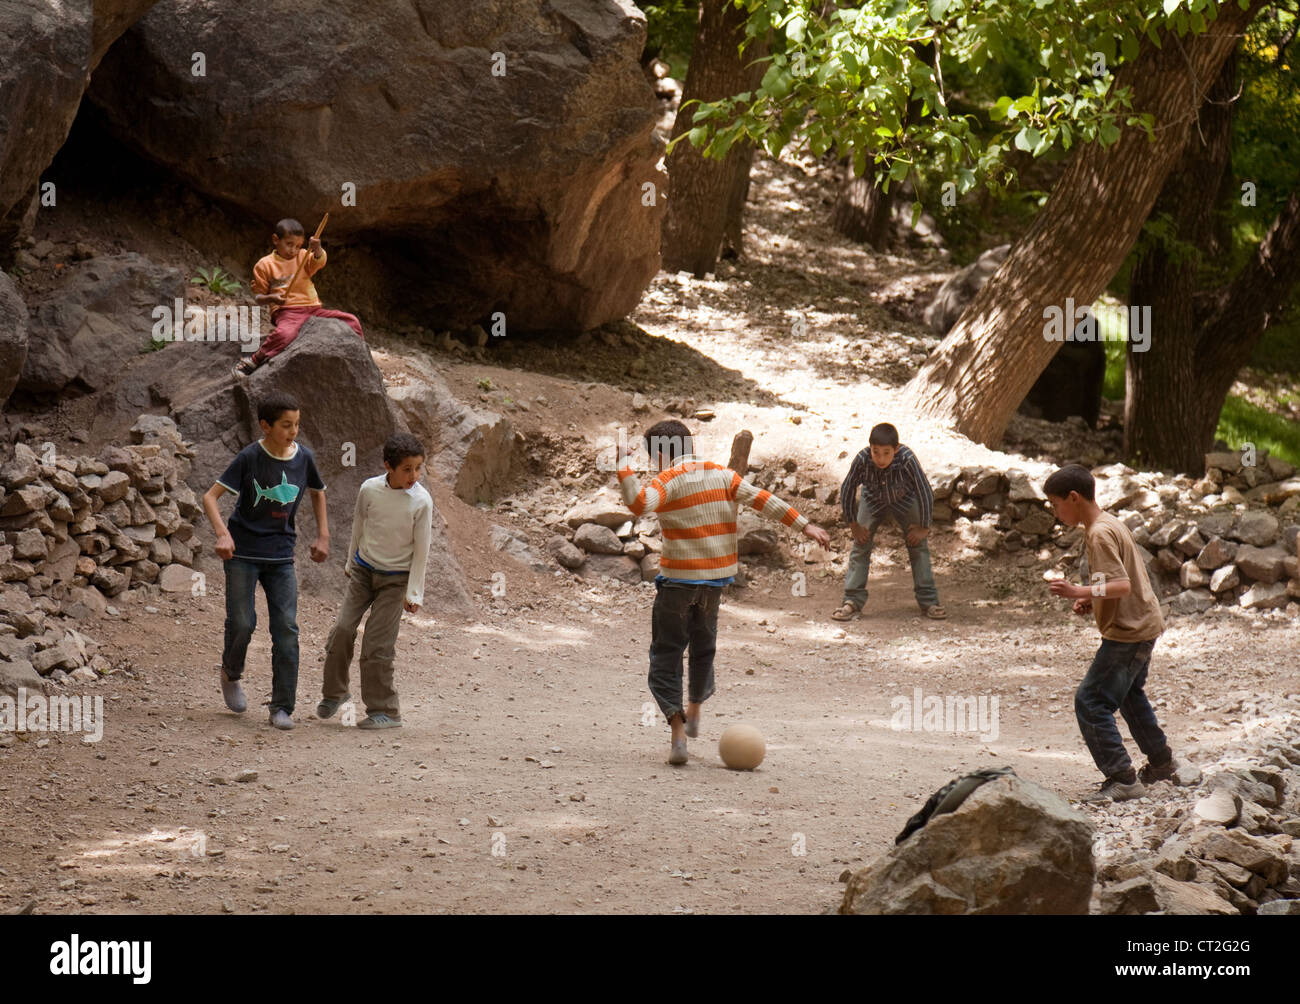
[1167,405]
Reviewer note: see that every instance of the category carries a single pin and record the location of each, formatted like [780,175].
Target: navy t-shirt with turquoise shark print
[268,492]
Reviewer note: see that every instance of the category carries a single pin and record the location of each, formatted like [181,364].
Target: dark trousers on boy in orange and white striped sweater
[684,617]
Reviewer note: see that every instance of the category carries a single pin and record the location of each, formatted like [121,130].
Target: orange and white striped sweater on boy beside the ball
[697,503]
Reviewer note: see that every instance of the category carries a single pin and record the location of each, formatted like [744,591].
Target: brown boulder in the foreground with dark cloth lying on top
[1012,847]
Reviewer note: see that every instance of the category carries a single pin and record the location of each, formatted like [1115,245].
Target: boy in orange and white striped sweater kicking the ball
[697,503]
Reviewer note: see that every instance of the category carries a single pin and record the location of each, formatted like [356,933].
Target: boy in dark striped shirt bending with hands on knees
[892,486]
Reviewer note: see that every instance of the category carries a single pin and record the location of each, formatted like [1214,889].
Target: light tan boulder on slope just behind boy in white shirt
[473,449]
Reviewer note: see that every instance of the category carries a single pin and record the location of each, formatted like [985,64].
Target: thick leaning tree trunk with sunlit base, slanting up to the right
[1077,243]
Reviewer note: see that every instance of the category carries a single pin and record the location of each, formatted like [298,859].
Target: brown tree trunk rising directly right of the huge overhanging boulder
[707,197]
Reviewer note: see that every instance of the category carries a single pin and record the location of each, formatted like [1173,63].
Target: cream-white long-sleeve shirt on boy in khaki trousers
[392,529]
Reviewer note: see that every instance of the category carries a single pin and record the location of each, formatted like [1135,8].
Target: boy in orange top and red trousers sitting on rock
[291,309]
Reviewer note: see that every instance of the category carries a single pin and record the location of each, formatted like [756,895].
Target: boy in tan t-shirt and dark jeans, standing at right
[1129,620]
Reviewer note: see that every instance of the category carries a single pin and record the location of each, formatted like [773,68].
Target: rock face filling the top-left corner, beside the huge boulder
[47,54]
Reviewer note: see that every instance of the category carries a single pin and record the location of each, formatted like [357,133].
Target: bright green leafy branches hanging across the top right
[844,83]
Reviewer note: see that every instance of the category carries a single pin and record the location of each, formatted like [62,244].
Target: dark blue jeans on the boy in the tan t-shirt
[1115,682]
